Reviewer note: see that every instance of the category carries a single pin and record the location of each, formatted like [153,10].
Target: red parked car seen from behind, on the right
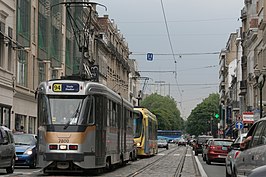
[217,150]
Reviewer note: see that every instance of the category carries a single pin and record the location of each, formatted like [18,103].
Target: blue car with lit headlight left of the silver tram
[26,149]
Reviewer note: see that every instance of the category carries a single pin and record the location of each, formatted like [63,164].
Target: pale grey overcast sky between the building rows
[197,30]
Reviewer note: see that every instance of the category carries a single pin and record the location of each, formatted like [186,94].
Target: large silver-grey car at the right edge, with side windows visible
[253,151]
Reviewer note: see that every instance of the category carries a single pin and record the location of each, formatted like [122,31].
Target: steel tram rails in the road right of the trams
[153,164]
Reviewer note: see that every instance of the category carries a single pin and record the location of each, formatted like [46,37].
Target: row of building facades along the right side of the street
[243,69]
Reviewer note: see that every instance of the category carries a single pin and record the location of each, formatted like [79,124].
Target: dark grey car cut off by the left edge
[7,149]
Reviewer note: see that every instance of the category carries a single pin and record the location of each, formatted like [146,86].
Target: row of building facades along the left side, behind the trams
[37,43]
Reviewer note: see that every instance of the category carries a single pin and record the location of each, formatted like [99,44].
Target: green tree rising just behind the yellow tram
[166,111]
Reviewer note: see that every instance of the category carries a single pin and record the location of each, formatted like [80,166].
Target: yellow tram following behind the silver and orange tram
[145,132]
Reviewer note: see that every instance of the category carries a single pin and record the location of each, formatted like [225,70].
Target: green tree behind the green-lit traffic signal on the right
[202,118]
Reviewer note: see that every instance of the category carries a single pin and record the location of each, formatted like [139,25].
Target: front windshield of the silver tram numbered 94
[69,110]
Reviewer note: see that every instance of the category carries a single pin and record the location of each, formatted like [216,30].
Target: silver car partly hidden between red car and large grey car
[231,156]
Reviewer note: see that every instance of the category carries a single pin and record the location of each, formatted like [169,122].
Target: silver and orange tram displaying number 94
[82,125]
